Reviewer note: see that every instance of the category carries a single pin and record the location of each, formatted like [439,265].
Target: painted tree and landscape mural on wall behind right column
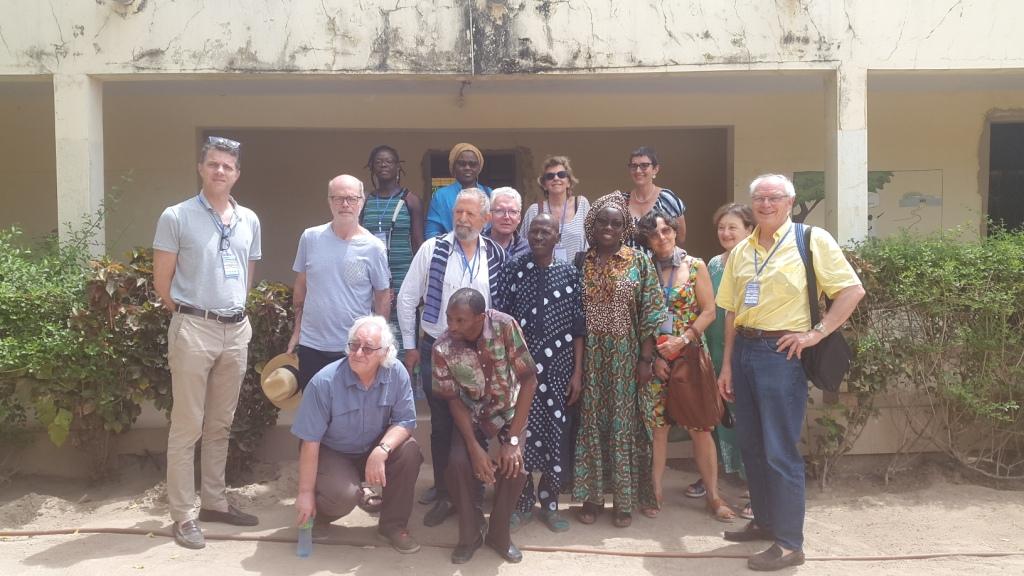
[898,200]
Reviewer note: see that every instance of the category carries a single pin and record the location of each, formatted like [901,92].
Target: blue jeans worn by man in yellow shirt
[772,401]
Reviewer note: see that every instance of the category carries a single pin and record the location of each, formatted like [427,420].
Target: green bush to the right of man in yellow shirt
[941,331]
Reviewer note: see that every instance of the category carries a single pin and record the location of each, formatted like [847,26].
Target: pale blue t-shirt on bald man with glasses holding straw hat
[342,277]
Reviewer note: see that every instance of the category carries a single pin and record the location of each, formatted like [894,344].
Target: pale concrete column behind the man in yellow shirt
[846,154]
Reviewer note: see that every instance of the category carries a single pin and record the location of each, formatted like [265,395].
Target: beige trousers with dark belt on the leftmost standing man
[208,362]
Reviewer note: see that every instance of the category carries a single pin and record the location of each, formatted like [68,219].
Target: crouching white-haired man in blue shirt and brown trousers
[356,422]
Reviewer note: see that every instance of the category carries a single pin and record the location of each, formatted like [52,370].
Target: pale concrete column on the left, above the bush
[78,112]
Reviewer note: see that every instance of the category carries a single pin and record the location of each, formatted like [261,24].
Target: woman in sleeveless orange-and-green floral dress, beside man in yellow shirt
[691,303]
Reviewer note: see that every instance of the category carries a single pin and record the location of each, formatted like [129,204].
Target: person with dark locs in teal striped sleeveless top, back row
[395,216]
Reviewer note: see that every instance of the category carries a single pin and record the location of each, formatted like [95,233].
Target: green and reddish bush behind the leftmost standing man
[83,344]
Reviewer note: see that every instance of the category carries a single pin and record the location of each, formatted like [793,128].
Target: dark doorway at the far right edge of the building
[1006,176]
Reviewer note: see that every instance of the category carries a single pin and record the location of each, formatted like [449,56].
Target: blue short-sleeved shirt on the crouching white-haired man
[337,412]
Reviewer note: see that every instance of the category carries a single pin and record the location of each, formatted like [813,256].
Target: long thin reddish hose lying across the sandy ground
[570,550]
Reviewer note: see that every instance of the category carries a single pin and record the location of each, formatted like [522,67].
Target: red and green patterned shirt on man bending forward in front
[486,377]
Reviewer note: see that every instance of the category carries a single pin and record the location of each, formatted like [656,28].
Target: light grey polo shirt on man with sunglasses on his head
[192,231]
